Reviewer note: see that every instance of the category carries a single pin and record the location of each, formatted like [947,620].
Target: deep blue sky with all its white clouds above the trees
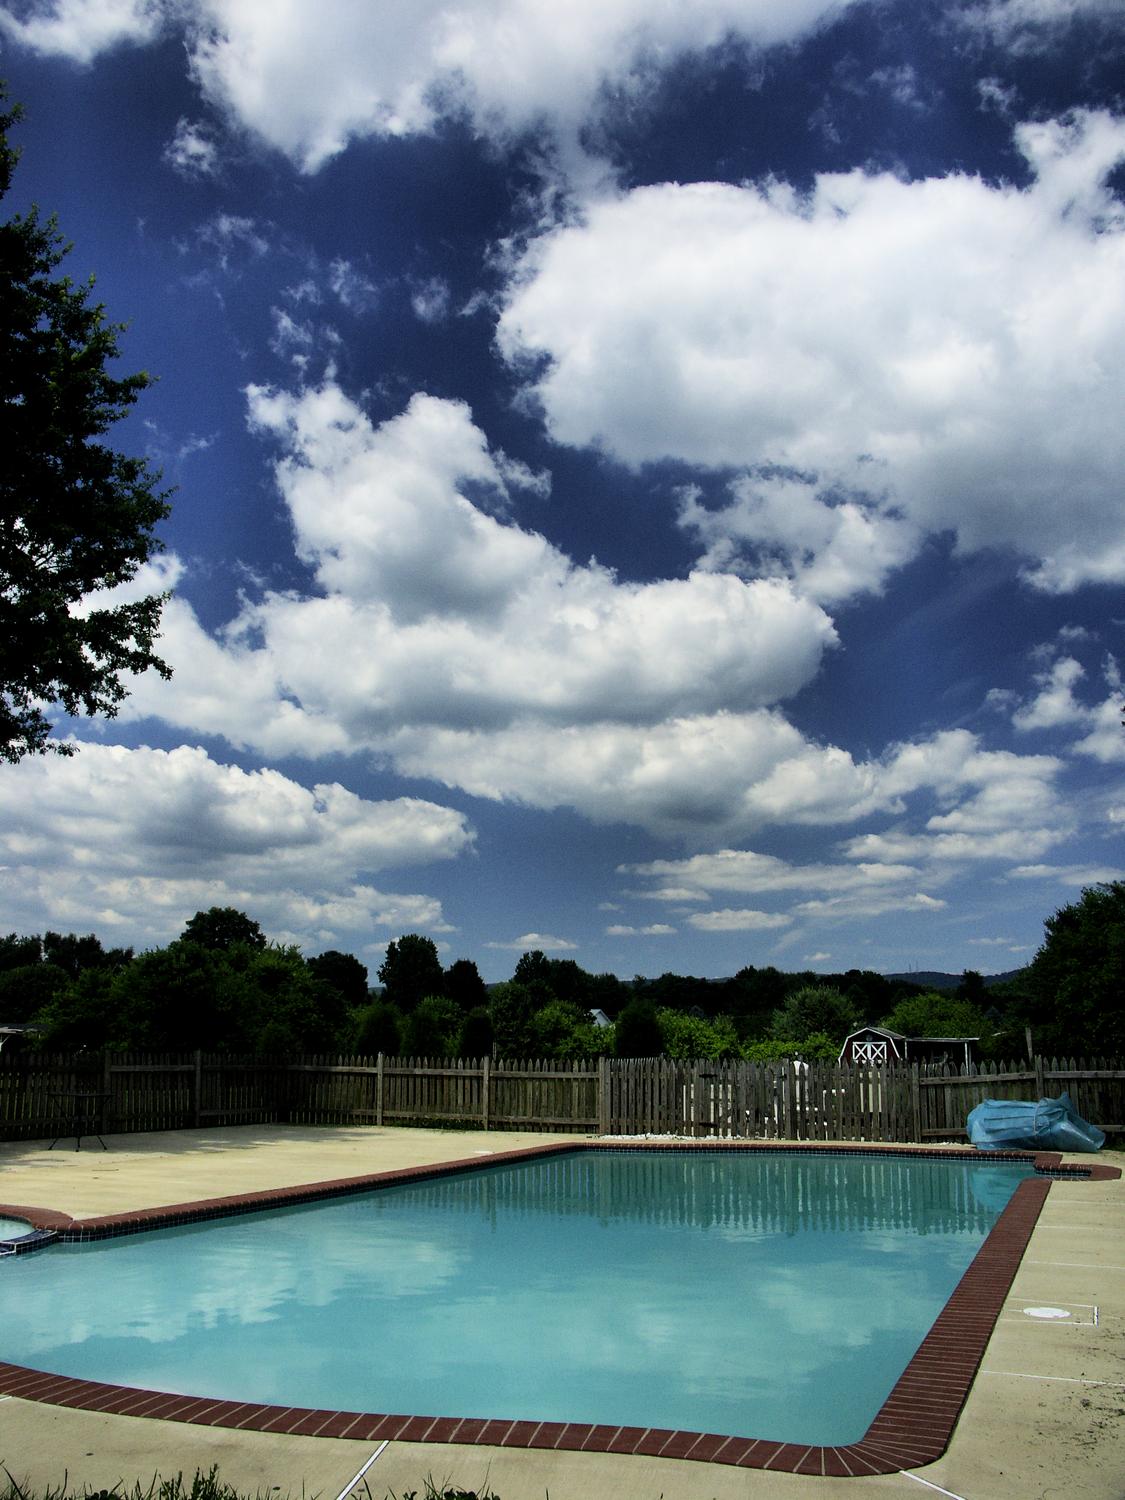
[649,476]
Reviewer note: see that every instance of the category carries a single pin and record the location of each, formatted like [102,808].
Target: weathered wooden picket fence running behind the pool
[44,1096]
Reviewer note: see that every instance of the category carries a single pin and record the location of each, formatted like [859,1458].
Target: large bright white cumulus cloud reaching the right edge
[925,356]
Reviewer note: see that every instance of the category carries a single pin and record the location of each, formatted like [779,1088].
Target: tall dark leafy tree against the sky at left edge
[76,517]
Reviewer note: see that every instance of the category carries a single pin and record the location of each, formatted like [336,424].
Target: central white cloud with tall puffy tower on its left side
[473,652]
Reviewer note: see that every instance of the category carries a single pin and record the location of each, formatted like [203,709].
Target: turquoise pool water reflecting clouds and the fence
[755,1294]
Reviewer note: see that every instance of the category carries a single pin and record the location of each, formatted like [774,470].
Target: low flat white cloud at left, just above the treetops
[133,842]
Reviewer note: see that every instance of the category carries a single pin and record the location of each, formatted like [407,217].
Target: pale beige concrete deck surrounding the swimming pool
[1046,1414]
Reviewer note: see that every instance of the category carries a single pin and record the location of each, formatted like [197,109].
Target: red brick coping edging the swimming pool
[913,1427]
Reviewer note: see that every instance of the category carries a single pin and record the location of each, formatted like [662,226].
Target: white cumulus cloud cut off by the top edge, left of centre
[308,80]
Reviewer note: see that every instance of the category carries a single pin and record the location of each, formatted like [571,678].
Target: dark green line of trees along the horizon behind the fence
[223,986]
